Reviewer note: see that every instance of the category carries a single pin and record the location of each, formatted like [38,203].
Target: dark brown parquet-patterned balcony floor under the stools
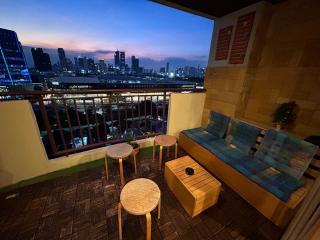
[84,206]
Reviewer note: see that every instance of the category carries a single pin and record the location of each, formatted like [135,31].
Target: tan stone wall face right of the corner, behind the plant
[284,65]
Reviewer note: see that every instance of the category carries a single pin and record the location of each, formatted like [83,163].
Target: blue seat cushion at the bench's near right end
[277,183]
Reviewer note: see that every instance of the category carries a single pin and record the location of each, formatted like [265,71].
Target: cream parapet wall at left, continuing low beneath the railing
[22,154]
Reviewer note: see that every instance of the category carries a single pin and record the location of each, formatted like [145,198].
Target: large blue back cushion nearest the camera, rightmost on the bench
[286,153]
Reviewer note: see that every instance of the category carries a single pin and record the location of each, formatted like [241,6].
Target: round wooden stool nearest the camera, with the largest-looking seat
[140,197]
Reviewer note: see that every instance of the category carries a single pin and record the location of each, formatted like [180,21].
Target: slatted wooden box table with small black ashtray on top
[197,192]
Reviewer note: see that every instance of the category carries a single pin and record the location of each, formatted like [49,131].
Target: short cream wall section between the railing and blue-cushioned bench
[185,112]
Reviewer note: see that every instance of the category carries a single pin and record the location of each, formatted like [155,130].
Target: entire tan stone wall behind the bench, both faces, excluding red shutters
[282,64]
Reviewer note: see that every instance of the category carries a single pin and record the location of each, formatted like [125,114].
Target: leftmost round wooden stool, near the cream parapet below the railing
[120,151]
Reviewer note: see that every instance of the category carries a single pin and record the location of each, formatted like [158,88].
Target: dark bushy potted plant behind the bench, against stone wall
[285,115]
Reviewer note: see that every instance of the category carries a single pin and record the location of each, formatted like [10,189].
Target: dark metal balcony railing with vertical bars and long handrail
[76,120]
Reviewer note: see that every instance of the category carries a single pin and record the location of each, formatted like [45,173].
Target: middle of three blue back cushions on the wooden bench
[243,135]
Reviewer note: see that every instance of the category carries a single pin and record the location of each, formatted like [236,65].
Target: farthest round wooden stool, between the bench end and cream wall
[164,141]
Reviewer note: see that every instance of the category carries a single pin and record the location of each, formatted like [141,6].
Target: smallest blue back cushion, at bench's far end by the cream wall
[218,124]
